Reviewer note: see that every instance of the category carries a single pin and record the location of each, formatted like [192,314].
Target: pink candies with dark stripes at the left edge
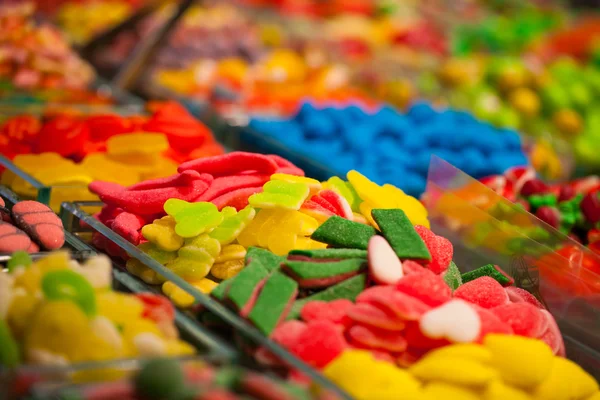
[29,226]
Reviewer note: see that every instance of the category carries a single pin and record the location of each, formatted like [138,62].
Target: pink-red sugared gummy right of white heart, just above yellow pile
[524,318]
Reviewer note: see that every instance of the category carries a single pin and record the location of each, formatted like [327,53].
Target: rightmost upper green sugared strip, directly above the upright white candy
[400,234]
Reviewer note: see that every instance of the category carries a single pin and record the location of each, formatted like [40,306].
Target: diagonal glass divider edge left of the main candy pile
[82,224]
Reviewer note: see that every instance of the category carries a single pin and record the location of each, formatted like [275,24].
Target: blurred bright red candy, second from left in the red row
[64,135]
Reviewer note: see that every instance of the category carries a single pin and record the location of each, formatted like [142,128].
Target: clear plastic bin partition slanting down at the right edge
[486,228]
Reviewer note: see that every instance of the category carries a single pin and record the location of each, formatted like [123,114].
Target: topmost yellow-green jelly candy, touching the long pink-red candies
[280,194]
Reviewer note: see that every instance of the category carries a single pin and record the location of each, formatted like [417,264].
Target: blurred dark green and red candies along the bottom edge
[169,379]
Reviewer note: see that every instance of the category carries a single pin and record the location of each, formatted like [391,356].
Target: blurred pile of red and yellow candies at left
[71,151]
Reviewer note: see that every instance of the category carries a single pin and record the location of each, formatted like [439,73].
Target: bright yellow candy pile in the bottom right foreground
[505,367]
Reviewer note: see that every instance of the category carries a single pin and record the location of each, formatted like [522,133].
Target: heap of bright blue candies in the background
[402,143]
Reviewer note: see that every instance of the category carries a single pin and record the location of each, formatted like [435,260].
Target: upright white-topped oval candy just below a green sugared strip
[384,265]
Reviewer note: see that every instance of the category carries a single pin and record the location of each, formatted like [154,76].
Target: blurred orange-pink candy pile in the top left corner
[36,56]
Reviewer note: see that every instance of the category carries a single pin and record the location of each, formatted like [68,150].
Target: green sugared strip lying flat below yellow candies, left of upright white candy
[340,232]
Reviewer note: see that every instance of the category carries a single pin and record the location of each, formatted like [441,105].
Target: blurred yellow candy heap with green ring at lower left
[56,312]
